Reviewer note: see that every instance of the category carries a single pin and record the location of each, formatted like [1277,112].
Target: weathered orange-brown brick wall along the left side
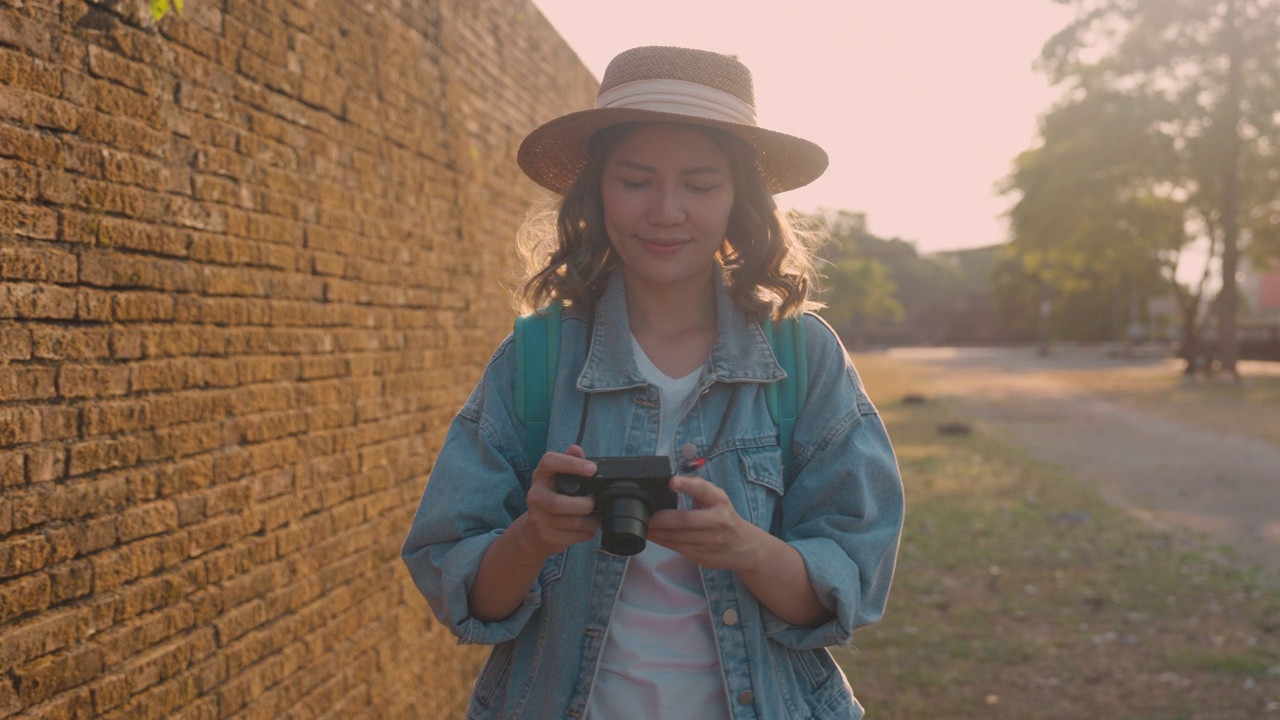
[252,261]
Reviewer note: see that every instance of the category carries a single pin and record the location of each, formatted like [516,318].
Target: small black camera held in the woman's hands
[628,491]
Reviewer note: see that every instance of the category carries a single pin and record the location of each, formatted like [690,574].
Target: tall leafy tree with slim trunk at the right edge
[1192,92]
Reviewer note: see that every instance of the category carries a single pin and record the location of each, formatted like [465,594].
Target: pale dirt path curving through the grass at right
[1223,487]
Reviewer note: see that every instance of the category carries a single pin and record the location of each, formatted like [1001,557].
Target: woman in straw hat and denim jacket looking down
[670,253]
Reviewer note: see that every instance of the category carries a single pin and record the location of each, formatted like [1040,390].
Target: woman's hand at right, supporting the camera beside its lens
[712,534]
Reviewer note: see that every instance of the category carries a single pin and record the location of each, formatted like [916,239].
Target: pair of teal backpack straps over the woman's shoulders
[537,339]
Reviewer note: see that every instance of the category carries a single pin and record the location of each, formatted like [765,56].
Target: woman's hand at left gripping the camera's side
[555,521]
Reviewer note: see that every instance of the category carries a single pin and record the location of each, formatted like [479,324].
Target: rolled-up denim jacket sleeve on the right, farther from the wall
[843,511]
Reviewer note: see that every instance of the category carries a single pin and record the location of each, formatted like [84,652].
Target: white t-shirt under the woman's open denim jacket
[660,657]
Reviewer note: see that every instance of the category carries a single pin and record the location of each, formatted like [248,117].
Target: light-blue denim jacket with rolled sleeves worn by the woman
[840,505]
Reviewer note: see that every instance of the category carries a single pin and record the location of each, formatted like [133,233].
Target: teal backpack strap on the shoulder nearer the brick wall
[537,339]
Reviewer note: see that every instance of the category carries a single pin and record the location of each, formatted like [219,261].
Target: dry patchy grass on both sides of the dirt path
[1021,594]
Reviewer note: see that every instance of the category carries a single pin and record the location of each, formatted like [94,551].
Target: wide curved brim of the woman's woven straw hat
[555,154]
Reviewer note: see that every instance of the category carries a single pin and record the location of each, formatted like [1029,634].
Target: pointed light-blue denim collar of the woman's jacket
[740,353]
